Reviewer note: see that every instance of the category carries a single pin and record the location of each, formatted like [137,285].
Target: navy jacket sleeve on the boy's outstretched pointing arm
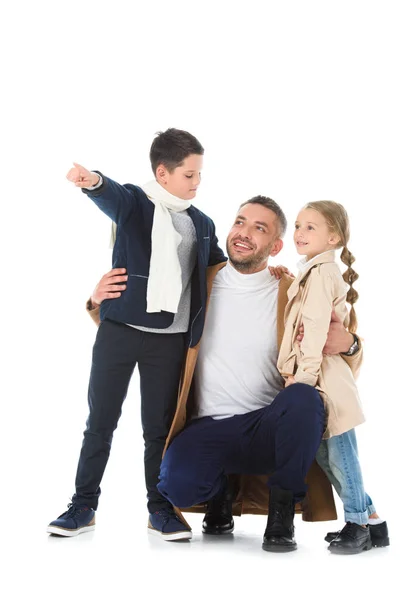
[117,201]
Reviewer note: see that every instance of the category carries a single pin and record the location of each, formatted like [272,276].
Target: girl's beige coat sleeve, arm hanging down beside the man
[316,317]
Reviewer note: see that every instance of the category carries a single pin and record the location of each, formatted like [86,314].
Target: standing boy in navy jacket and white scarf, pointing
[166,245]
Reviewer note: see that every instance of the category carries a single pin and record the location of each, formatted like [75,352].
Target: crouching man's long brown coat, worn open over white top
[252,496]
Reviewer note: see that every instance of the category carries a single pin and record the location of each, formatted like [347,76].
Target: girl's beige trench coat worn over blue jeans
[310,300]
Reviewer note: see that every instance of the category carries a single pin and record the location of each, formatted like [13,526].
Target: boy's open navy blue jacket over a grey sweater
[128,206]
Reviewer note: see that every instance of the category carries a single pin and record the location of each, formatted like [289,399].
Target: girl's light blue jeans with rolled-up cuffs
[338,457]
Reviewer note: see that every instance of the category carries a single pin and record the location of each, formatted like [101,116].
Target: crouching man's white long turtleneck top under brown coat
[236,368]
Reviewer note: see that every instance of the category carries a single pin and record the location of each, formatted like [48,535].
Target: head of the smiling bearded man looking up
[253,237]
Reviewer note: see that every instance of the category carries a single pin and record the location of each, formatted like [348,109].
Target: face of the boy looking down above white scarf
[184,180]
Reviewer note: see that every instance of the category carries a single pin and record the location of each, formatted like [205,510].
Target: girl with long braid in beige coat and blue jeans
[320,228]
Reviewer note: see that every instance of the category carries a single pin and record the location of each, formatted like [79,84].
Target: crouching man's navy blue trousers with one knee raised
[280,440]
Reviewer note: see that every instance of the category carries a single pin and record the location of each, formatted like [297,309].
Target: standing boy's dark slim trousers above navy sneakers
[116,351]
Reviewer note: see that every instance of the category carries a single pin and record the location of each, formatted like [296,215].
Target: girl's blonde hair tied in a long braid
[338,222]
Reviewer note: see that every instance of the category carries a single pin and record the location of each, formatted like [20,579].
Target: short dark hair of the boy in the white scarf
[171,147]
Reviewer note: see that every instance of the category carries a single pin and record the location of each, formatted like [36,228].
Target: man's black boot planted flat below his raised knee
[279,533]
